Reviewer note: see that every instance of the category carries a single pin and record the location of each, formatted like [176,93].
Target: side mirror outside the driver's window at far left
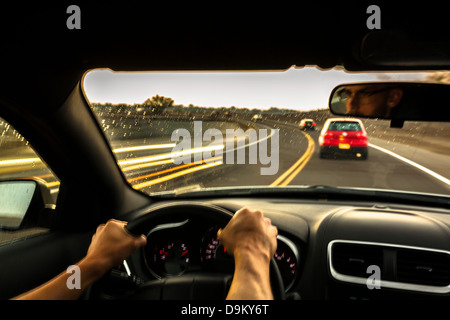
[24,203]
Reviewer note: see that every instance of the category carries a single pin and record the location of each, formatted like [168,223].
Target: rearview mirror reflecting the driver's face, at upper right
[392,100]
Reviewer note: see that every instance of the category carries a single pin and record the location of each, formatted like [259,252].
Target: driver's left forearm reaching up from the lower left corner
[58,288]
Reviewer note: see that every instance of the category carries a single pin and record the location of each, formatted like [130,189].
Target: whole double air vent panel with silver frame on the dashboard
[402,267]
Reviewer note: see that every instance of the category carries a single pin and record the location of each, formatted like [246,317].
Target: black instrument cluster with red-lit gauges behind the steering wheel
[190,246]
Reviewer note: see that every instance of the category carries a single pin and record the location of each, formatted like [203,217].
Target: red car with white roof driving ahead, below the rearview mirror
[342,136]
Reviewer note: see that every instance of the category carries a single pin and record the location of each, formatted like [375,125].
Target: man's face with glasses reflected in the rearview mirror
[369,100]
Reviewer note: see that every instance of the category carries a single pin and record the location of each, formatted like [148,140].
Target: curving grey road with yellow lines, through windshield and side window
[149,163]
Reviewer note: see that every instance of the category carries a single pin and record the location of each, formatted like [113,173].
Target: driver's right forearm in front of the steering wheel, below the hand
[251,279]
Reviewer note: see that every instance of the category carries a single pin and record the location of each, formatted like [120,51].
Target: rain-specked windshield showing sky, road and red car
[195,130]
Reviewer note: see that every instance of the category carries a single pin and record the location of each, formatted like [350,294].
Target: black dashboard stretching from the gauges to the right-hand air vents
[326,249]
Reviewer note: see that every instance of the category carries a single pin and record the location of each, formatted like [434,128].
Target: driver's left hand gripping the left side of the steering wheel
[111,244]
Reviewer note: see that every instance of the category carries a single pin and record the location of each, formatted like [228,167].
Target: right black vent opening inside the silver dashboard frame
[423,267]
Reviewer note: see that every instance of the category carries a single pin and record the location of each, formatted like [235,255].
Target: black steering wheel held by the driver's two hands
[197,285]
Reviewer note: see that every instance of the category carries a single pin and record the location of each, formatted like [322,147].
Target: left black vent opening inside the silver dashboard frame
[353,259]
